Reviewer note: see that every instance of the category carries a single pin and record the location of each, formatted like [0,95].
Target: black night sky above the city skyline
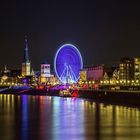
[104,31]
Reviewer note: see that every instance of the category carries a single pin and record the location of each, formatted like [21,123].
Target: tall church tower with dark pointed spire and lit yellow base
[26,64]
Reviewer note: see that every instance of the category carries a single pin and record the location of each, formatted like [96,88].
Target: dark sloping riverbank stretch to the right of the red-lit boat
[120,97]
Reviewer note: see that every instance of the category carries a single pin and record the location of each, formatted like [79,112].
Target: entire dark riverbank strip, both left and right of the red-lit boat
[117,97]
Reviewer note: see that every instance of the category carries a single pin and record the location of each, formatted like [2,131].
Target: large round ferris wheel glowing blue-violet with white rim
[67,64]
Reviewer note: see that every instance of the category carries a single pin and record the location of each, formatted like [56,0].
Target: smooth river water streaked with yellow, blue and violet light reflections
[54,118]
